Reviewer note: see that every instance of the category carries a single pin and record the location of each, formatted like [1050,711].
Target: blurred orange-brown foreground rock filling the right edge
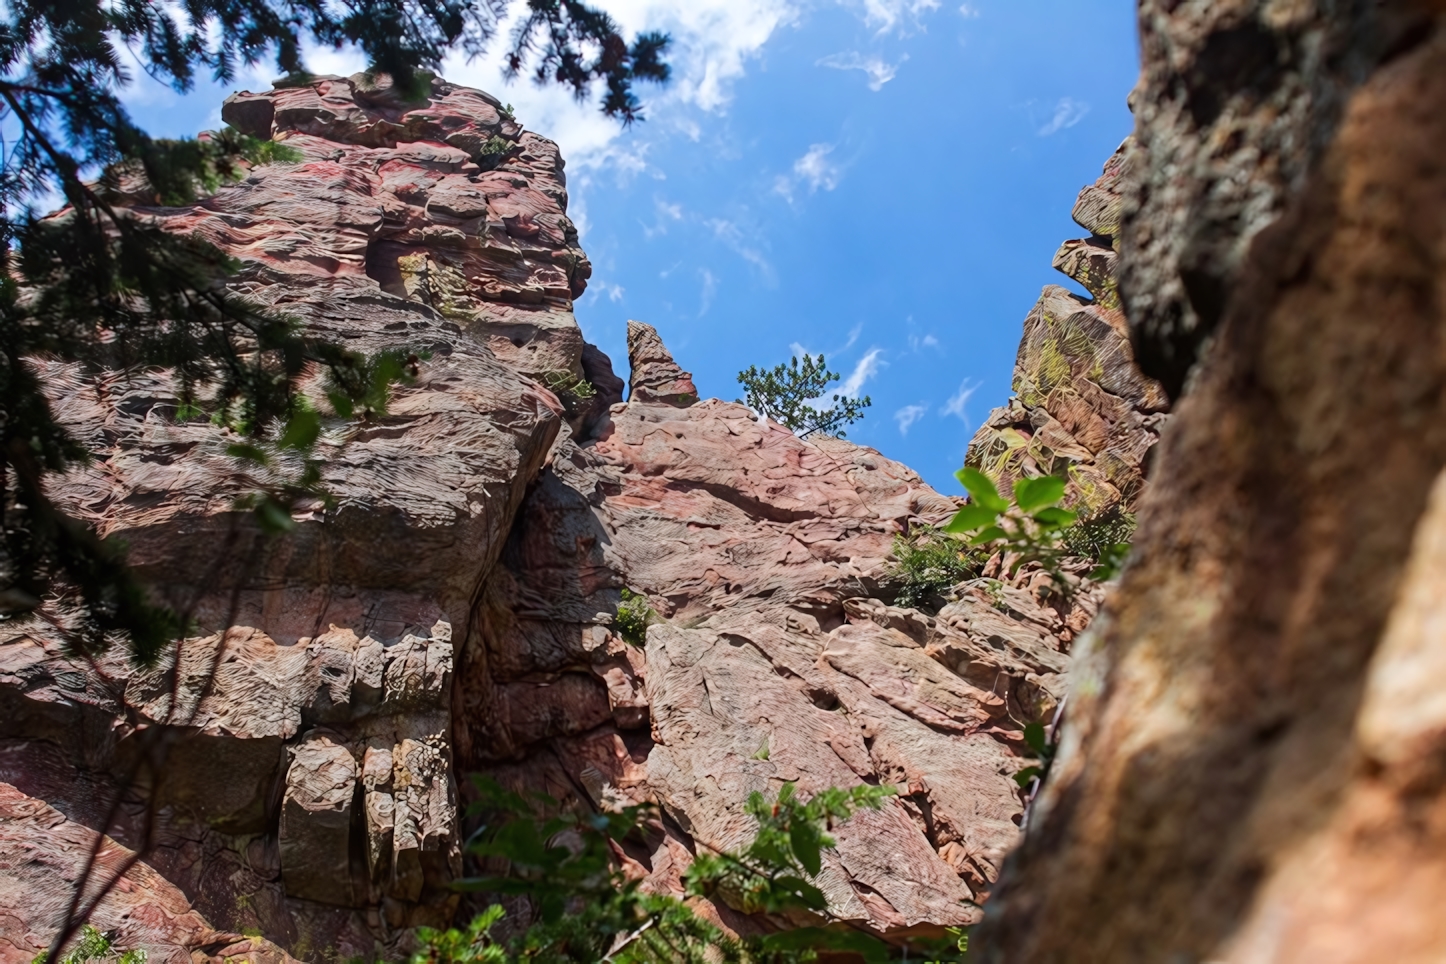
[1253,767]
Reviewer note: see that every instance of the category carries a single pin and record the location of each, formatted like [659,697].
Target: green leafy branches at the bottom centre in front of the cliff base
[586,911]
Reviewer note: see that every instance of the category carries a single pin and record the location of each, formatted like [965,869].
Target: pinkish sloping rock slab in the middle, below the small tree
[774,658]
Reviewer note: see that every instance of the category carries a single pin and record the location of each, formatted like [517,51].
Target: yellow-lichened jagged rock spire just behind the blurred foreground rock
[1081,407]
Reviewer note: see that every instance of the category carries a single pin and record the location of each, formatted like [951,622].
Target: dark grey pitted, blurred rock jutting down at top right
[1237,103]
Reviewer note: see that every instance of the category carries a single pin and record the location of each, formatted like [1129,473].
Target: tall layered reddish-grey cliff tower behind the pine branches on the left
[436,228]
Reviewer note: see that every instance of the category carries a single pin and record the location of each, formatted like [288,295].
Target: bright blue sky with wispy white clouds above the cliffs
[884,181]
